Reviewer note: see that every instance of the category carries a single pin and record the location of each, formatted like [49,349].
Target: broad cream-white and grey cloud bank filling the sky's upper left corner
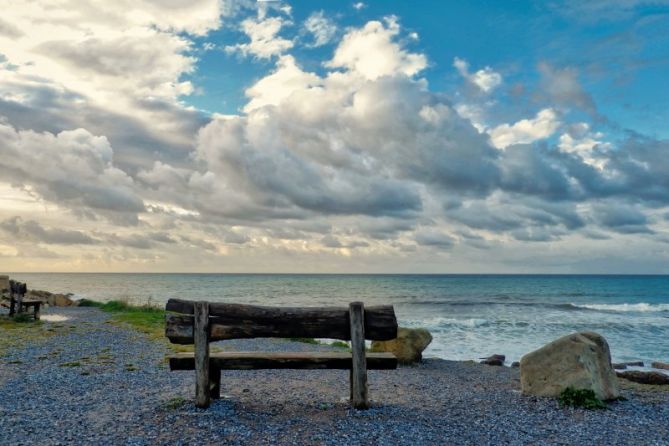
[112,68]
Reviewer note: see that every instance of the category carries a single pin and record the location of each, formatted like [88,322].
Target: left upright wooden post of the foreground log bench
[201,341]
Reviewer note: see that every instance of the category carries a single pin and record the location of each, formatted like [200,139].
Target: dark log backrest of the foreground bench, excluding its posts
[236,321]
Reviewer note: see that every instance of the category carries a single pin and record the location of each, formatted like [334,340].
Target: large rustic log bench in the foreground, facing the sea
[200,323]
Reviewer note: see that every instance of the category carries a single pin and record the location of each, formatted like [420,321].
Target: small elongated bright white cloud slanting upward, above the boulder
[526,130]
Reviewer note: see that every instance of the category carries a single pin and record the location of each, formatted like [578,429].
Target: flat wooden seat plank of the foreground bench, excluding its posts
[283,360]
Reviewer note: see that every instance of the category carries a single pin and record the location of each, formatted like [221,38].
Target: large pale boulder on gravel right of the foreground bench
[579,360]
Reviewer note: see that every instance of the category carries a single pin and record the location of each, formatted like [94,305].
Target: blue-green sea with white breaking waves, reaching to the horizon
[470,316]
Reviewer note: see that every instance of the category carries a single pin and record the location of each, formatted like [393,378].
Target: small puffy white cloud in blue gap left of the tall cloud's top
[265,42]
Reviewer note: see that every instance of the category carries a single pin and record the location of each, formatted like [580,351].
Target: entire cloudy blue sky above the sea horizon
[334,136]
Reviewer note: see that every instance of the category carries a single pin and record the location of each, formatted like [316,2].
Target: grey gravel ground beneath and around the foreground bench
[96,383]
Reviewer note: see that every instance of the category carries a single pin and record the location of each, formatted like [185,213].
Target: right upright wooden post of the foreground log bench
[359,389]
